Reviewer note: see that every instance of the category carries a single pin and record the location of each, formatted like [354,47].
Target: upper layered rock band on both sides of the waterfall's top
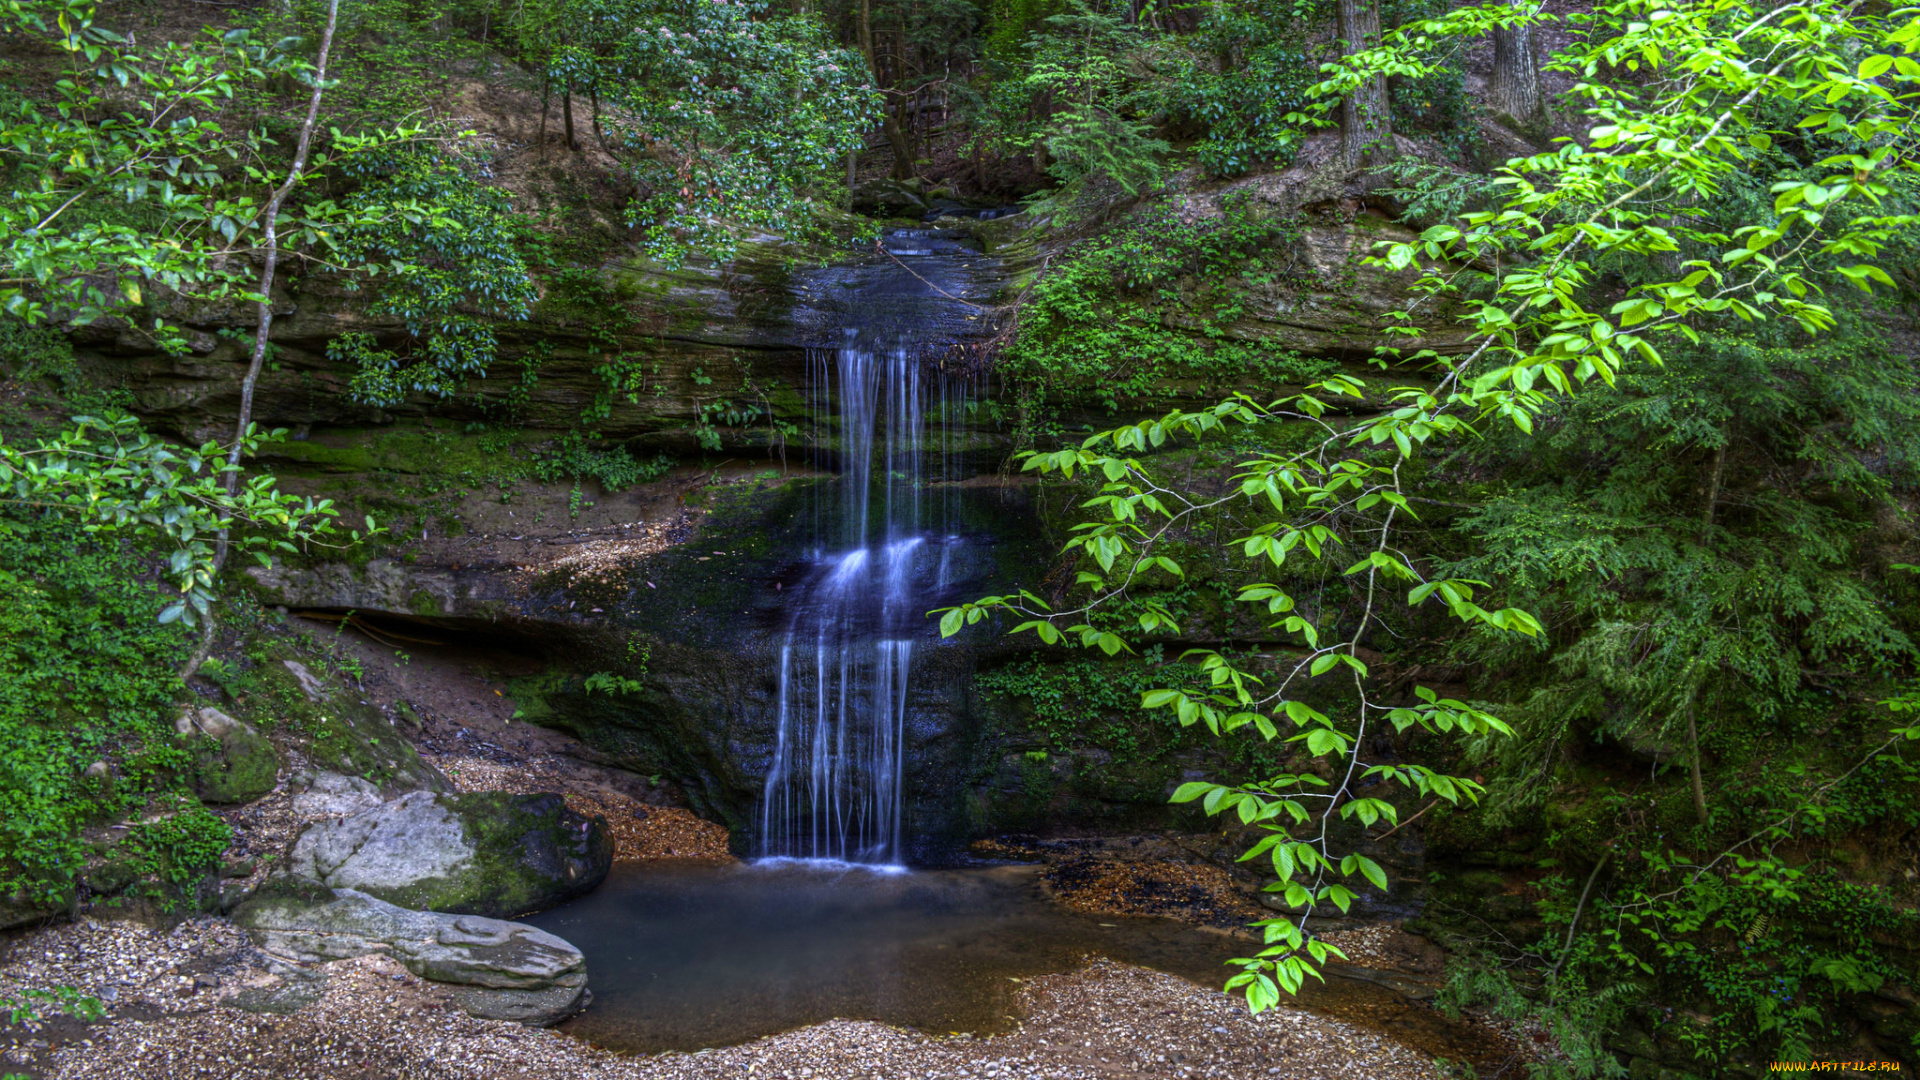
[686,339]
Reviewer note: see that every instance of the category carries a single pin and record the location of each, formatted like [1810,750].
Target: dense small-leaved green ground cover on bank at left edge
[87,674]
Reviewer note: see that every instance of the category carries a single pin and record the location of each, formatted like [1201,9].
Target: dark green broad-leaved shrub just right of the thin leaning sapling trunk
[454,270]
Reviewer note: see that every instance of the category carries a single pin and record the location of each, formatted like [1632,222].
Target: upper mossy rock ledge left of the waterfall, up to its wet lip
[681,337]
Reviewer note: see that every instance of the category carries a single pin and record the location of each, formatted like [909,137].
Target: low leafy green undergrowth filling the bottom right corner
[1773,950]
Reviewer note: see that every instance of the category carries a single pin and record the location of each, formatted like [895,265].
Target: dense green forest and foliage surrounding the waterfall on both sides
[1604,512]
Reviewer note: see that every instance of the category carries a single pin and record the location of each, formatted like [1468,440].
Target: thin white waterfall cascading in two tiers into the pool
[846,662]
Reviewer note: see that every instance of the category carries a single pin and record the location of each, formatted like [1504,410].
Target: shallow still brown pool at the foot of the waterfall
[690,956]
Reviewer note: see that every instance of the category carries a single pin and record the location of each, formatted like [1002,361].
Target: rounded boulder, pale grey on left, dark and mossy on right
[466,854]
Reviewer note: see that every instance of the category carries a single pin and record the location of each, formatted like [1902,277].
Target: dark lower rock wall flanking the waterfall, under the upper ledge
[709,616]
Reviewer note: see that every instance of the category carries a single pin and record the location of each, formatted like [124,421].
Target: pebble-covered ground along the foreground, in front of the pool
[172,1018]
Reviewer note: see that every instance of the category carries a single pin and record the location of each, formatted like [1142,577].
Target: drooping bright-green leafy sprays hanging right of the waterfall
[1316,504]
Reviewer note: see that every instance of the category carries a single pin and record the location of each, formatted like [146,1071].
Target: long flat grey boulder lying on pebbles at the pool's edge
[498,971]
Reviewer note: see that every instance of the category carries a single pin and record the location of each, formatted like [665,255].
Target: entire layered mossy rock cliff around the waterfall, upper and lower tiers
[696,620]
